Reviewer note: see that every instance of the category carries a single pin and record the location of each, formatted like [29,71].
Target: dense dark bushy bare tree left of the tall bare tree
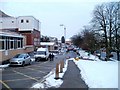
[85,39]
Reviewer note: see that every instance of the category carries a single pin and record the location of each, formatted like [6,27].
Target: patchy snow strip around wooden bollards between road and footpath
[48,81]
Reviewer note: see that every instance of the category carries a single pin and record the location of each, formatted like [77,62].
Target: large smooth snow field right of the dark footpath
[99,74]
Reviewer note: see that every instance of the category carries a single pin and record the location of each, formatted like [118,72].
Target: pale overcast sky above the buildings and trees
[74,14]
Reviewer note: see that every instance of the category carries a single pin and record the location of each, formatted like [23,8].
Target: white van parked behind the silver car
[41,54]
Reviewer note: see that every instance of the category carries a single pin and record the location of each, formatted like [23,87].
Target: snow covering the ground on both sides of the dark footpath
[95,73]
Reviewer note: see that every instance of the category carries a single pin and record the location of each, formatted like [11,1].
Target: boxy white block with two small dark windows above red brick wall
[29,27]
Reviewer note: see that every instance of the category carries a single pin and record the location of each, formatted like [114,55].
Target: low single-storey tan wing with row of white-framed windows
[11,43]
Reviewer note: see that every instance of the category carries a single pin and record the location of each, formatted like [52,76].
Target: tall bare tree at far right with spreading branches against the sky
[104,19]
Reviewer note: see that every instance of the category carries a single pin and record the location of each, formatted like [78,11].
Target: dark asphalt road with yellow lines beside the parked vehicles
[24,77]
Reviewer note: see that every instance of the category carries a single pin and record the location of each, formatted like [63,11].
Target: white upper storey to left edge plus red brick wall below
[26,25]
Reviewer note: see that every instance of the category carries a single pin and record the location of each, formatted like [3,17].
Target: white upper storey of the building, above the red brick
[23,23]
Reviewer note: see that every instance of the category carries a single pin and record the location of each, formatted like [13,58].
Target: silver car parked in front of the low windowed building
[21,59]
